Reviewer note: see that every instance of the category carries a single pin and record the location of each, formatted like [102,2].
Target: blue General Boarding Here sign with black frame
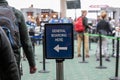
[59,41]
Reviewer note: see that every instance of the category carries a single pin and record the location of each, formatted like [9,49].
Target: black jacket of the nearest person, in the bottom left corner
[8,65]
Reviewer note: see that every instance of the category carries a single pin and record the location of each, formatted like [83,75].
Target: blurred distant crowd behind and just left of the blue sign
[36,25]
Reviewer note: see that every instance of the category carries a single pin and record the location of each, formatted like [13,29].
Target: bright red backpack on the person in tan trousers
[78,26]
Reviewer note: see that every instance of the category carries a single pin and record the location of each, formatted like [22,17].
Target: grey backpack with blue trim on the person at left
[8,24]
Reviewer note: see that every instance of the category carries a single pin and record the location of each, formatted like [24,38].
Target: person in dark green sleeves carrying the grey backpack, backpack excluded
[24,39]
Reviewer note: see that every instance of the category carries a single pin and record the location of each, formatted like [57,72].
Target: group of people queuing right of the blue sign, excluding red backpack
[104,26]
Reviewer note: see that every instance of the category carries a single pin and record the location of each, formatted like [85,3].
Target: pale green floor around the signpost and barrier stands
[73,69]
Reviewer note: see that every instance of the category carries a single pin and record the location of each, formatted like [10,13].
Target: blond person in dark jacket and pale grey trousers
[104,28]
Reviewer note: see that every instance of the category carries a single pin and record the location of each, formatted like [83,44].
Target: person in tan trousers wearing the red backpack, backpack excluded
[80,35]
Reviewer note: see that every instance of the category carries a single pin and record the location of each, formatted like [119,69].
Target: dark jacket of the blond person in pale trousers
[104,26]
